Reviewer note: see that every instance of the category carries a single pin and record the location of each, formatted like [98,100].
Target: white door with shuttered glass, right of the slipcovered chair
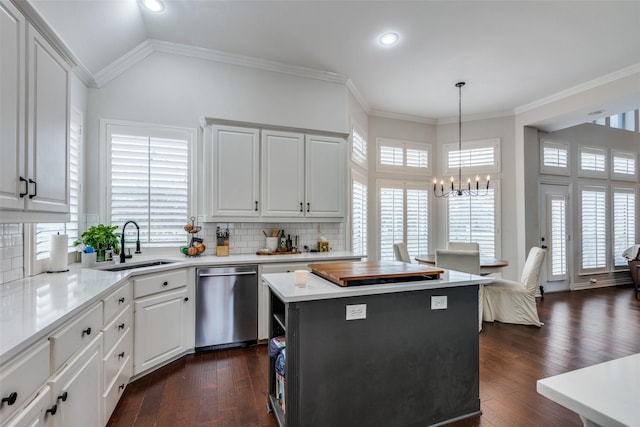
[555,224]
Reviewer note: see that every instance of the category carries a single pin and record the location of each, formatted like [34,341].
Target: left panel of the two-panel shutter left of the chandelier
[391,220]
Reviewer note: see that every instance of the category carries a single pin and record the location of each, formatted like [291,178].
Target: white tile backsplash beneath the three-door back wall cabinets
[247,237]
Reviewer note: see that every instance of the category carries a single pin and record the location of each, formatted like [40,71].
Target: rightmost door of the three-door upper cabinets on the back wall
[325,176]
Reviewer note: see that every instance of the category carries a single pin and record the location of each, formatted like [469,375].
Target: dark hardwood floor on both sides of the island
[582,328]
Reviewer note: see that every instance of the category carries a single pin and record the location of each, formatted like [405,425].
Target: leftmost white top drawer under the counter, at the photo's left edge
[23,376]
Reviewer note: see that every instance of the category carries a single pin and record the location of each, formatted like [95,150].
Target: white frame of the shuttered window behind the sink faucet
[143,130]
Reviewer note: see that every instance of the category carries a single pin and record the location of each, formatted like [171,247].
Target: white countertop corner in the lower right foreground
[607,394]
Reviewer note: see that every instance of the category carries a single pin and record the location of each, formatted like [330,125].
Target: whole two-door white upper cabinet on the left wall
[34,122]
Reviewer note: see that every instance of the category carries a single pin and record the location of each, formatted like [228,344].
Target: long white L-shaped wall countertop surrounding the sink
[33,307]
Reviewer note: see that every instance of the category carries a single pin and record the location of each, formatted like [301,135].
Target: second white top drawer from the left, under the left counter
[77,332]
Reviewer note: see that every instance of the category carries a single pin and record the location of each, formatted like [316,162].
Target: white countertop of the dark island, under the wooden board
[318,288]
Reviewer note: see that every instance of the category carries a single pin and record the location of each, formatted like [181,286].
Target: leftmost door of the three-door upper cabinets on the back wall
[235,172]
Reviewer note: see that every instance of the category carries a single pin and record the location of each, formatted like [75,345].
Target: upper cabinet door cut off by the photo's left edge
[12,87]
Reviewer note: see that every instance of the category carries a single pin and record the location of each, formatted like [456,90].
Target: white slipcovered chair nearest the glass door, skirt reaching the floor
[508,301]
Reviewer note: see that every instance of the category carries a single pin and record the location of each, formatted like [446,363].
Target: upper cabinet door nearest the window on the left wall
[48,127]
